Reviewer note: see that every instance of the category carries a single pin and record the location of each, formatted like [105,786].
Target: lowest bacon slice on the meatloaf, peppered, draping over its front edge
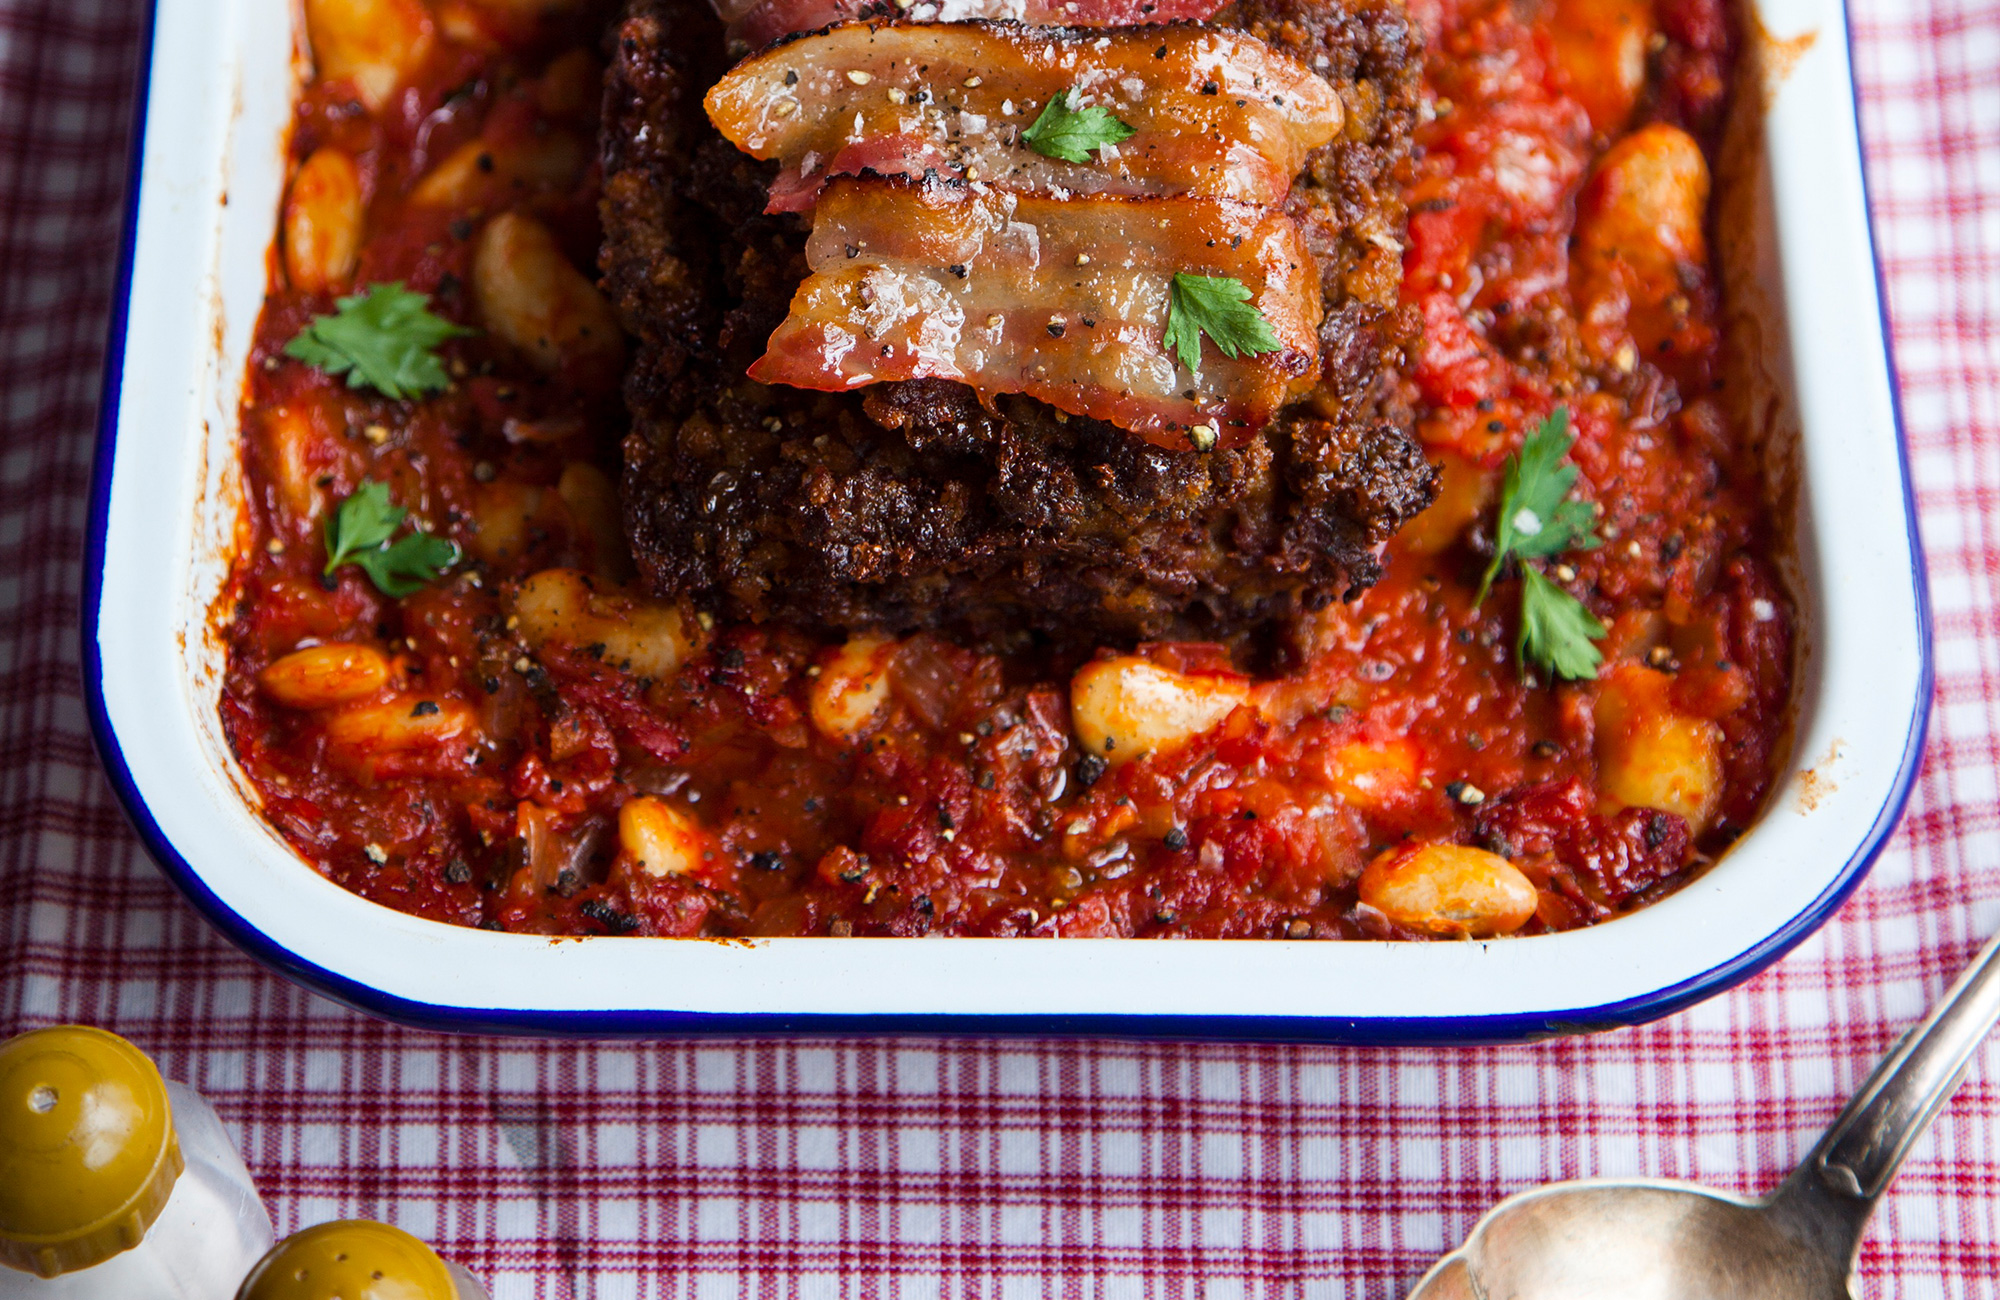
[1065,301]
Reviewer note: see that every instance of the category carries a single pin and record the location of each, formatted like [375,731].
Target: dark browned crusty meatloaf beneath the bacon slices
[911,505]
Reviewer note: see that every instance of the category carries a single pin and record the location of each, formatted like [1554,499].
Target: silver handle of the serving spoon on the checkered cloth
[1865,1147]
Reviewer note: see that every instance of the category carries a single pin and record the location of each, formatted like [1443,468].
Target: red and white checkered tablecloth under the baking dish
[1021,1169]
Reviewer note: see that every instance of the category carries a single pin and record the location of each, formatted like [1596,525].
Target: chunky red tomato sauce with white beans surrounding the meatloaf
[779,781]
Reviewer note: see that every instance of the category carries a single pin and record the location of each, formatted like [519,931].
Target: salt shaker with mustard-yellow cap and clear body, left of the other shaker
[115,1185]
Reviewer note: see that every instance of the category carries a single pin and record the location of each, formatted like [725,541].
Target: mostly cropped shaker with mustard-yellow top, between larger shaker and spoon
[357,1259]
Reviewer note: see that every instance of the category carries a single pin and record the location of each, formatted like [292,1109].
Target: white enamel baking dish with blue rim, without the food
[207,183]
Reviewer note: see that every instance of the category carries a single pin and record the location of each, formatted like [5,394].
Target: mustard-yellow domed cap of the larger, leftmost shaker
[87,1149]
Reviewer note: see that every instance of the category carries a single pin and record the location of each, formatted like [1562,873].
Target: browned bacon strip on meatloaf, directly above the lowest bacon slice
[1215,111]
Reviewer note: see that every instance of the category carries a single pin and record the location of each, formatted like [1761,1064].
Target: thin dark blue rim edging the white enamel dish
[1377,1031]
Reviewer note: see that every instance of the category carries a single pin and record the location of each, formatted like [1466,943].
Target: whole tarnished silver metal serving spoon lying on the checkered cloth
[1649,1239]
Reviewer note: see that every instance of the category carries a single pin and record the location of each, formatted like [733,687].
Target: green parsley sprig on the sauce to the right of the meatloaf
[1537,521]
